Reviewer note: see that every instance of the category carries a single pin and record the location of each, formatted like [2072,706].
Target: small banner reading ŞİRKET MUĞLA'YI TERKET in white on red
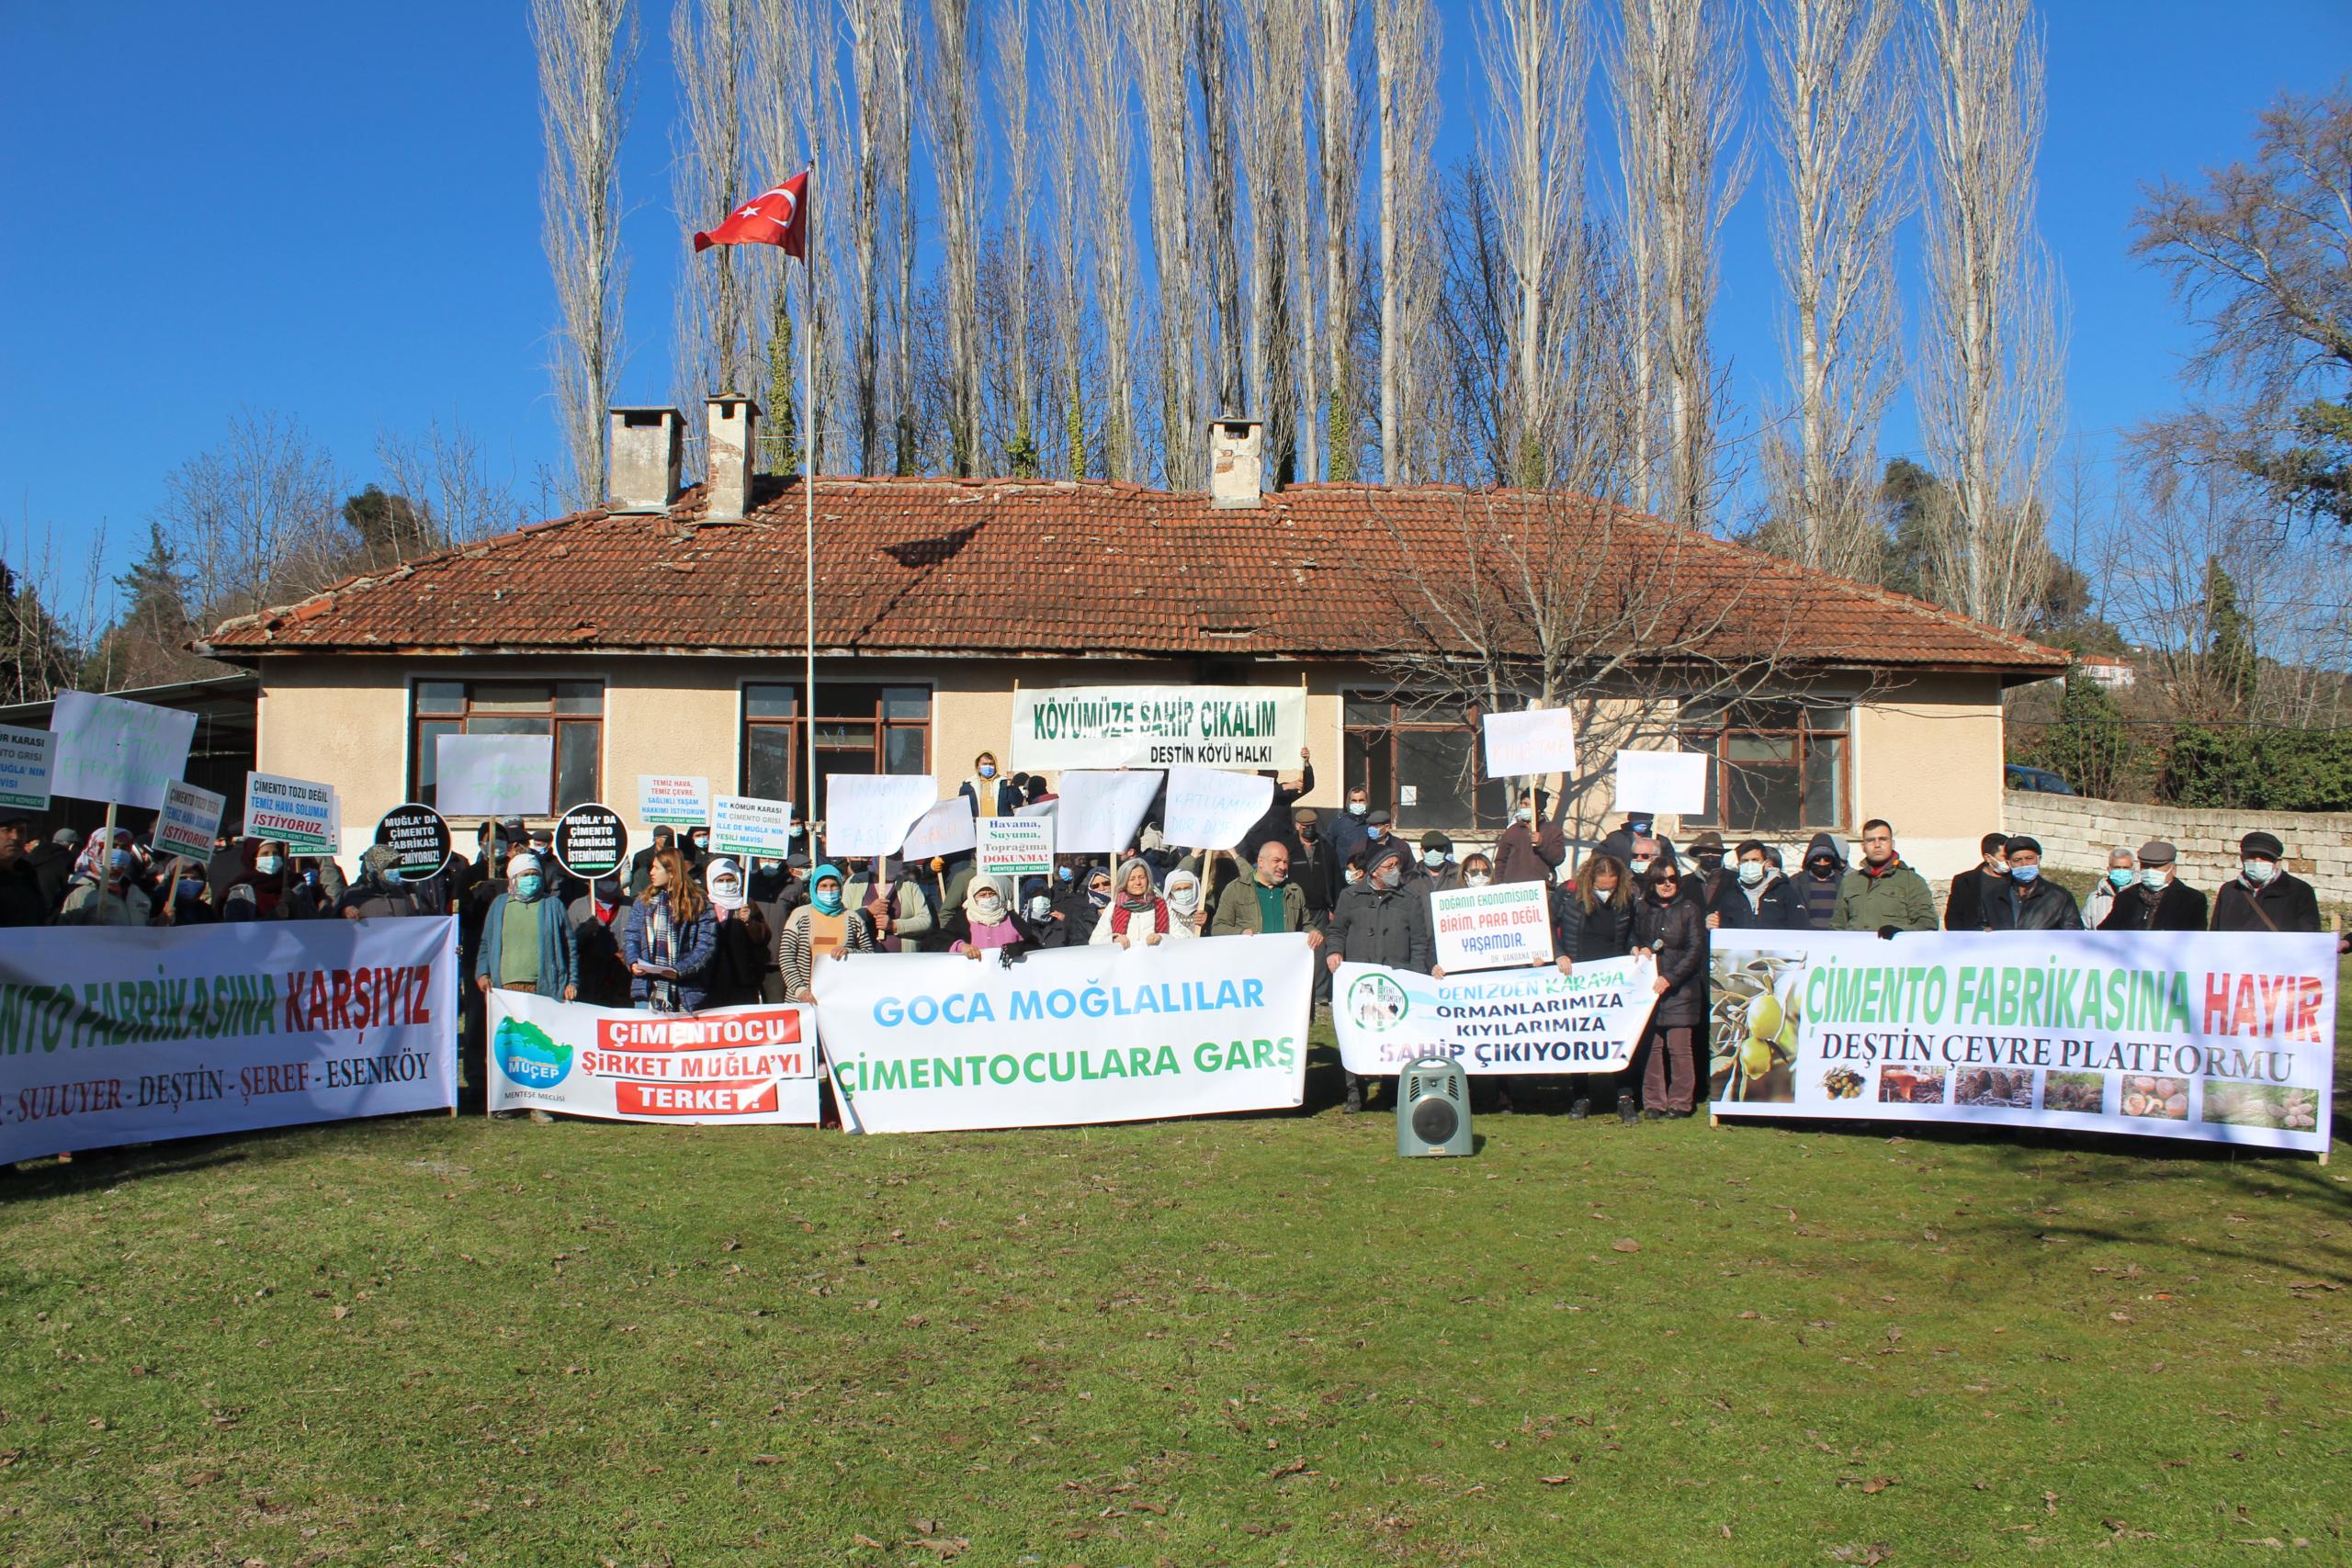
[733,1066]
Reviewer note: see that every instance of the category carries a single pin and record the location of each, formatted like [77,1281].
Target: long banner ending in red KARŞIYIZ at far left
[138,1036]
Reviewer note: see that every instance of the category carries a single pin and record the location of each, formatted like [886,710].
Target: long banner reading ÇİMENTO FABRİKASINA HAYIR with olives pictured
[2174,1036]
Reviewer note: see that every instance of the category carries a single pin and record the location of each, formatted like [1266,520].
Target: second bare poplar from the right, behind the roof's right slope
[1838,126]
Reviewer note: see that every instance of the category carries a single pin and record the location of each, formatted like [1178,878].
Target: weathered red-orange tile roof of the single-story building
[1031,565]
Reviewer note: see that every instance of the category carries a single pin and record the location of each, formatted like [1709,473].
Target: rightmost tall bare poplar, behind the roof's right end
[1991,356]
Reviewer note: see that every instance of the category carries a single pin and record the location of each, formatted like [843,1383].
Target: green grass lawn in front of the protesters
[1248,1341]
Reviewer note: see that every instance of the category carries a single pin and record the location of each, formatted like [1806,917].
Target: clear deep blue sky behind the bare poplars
[333,213]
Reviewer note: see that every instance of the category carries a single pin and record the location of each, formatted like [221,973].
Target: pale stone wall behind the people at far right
[2078,833]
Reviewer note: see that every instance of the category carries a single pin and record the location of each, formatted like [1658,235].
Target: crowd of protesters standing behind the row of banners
[681,930]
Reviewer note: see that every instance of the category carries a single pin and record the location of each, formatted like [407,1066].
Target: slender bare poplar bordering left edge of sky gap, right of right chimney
[1405,51]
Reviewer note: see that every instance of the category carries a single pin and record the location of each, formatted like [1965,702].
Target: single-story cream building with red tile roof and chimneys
[662,634]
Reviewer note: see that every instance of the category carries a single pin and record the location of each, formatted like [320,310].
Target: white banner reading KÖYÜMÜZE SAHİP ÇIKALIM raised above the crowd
[1156,728]
